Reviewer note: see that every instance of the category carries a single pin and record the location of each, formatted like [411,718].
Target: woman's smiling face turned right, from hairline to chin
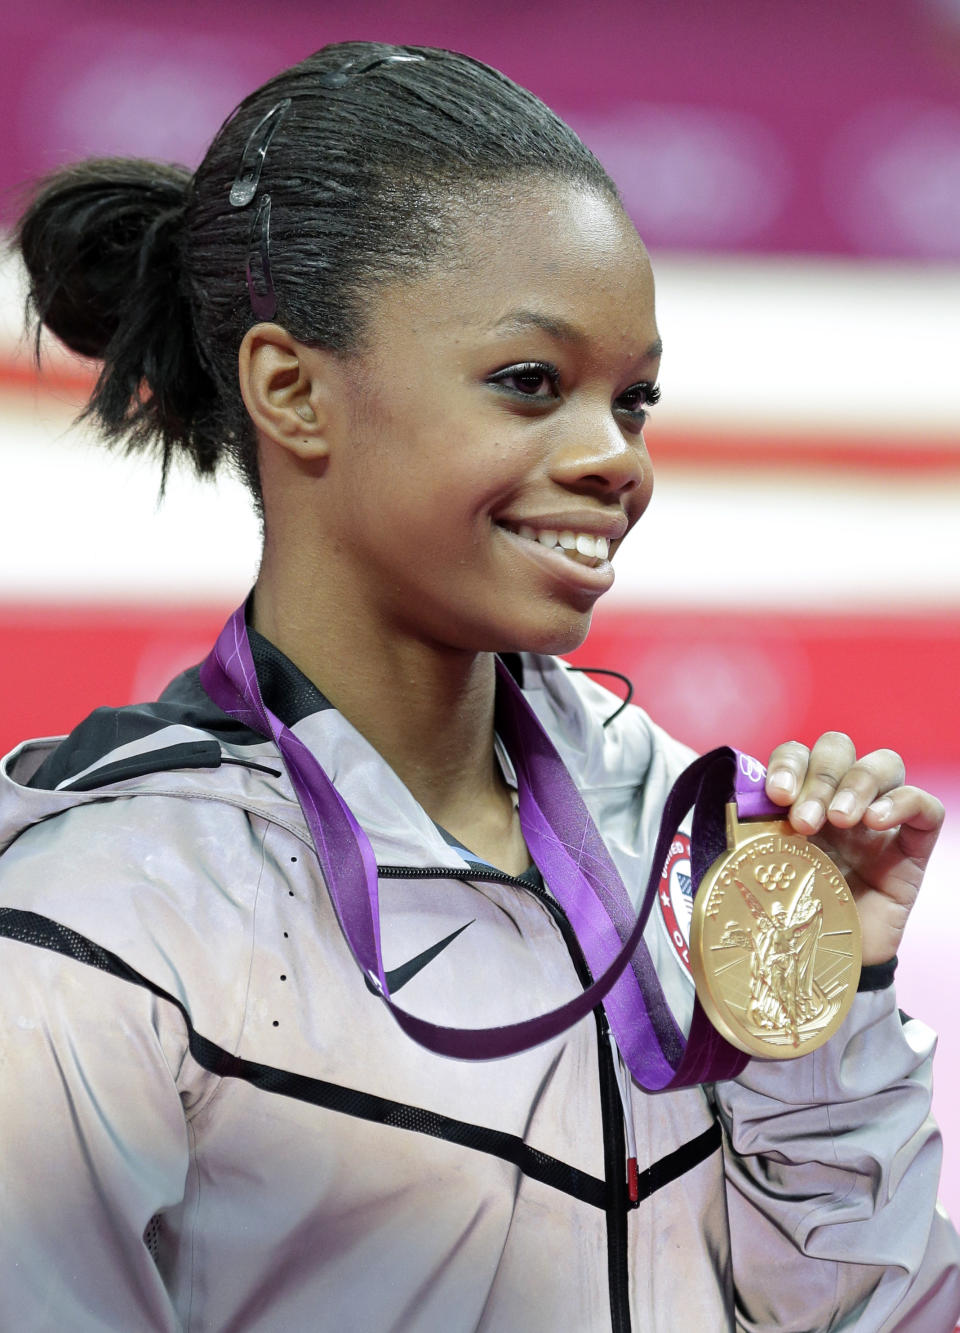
[494,459]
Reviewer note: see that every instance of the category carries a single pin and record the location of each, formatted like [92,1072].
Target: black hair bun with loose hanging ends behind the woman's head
[103,243]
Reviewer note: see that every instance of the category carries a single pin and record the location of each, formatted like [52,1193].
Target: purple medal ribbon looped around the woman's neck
[571,856]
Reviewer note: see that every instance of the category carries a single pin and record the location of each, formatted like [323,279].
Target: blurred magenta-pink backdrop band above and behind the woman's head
[805,126]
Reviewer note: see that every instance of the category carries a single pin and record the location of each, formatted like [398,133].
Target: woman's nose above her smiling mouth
[599,458]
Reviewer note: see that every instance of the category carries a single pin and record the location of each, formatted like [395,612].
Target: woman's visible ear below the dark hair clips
[286,390]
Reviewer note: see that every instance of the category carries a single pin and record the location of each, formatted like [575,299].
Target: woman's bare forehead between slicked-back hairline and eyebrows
[559,253]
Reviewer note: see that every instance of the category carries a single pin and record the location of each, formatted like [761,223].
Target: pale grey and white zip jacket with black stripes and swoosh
[209,1123]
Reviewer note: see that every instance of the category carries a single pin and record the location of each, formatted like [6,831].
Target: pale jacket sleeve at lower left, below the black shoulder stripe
[93,1143]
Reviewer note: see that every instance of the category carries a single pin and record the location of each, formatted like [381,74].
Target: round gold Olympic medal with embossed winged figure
[775,942]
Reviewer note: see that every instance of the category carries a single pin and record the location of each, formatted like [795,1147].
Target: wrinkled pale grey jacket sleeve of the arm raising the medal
[833,1167]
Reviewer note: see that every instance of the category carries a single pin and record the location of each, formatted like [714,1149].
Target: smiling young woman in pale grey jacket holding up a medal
[405,301]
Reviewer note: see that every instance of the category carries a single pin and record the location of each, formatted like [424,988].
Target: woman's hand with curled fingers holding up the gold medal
[879,832]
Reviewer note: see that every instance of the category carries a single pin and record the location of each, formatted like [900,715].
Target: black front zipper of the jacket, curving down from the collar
[613,1104]
